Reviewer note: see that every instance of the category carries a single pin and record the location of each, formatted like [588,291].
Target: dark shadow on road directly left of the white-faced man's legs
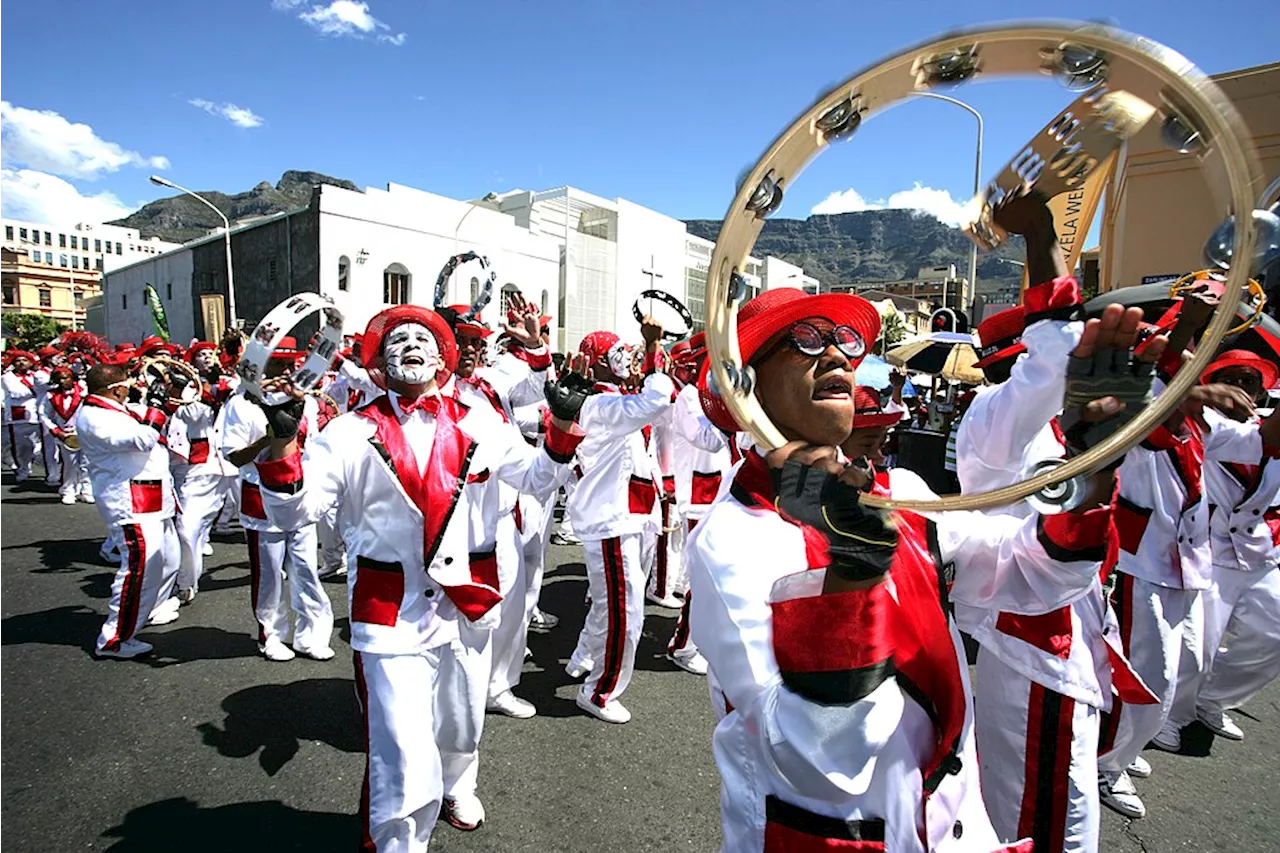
[275,718]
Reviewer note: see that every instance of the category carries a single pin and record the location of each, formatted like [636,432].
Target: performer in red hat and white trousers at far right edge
[1242,605]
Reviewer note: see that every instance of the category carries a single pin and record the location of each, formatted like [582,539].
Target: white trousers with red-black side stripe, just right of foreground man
[1039,761]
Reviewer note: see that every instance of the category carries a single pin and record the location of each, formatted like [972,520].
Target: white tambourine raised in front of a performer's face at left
[277,326]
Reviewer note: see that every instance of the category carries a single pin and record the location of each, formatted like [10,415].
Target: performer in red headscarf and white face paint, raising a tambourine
[612,505]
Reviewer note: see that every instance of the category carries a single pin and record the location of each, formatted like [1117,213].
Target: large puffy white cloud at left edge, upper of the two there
[45,142]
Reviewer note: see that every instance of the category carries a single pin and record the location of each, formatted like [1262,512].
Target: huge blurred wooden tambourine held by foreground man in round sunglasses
[1141,77]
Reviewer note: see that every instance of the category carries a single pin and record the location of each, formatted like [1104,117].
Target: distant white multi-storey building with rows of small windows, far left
[83,247]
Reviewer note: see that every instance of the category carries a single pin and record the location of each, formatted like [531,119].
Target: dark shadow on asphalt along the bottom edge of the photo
[182,824]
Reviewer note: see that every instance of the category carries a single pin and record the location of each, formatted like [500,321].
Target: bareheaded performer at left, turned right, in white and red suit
[130,468]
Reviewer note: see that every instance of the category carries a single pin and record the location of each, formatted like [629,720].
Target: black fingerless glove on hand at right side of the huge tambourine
[1107,373]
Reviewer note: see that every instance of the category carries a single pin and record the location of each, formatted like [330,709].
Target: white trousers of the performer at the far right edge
[1245,618]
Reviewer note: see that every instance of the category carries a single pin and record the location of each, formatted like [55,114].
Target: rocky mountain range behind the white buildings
[836,249]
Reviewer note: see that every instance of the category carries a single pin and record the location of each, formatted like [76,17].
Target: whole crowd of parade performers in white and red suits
[830,632]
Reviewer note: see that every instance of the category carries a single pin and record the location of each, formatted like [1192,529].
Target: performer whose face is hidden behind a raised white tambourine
[278,553]
